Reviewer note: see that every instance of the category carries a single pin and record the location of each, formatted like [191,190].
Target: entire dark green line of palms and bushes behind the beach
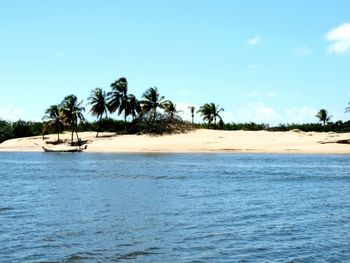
[150,114]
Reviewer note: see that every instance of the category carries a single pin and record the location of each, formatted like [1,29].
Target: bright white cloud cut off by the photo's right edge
[339,39]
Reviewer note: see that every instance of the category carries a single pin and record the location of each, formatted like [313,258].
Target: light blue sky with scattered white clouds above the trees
[265,61]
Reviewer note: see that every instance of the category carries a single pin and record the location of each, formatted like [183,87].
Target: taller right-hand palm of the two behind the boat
[72,113]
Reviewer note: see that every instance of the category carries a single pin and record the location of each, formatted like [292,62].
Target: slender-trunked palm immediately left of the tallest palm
[98,104]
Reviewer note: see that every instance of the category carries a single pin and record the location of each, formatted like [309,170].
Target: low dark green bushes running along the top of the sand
[10,130]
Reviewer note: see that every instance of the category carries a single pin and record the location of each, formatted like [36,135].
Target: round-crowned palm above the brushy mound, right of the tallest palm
[152,101]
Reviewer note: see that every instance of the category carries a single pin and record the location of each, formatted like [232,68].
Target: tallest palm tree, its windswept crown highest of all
[118,97]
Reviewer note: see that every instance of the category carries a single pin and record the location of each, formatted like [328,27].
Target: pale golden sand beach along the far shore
[198,141]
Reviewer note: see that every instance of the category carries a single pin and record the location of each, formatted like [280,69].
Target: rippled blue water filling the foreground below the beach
[174,208]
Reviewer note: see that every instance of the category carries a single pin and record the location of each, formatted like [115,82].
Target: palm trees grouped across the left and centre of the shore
[69,113]
